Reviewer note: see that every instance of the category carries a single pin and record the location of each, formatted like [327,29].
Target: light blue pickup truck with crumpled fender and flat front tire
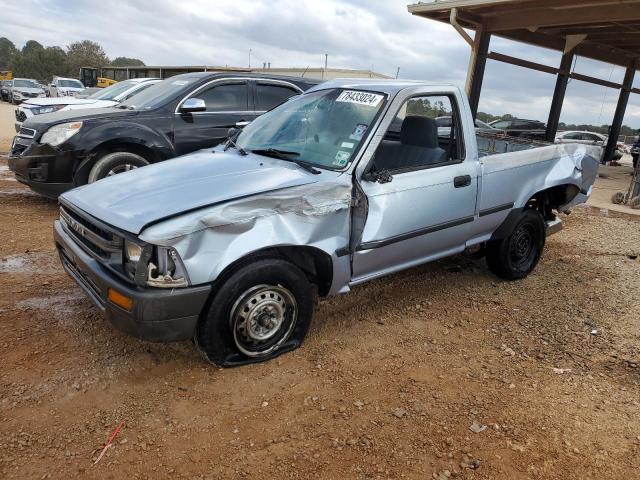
[343,184]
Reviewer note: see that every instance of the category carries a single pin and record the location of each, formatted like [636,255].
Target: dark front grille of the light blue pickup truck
[98,240]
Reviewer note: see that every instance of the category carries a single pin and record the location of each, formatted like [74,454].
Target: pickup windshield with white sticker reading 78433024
[323,128]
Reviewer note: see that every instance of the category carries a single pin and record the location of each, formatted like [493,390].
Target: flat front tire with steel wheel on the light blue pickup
[231,329]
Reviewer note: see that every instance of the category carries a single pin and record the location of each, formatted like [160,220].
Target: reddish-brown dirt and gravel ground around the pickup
[441,371]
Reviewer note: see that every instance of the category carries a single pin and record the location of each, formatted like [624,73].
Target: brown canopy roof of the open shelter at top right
[605,30]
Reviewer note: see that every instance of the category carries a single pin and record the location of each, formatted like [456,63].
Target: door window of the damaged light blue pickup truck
[426,132]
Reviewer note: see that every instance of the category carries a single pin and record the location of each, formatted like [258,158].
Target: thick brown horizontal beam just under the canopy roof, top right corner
[563,16]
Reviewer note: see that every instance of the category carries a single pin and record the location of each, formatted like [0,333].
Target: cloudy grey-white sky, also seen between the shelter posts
[361,34]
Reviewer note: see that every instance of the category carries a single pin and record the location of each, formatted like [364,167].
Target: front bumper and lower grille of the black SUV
[43,168]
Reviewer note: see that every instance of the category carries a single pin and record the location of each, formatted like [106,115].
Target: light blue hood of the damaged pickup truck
[130,201]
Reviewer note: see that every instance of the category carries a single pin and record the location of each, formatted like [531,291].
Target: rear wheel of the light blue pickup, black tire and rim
[515,256]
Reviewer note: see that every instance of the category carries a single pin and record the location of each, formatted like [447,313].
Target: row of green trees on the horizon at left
[36,61]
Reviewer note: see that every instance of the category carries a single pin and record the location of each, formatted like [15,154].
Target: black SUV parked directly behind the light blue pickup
[55,152]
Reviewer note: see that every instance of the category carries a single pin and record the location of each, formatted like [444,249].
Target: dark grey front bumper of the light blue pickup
[157,315]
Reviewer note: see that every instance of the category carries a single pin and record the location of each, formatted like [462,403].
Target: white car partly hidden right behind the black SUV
[105,97]
